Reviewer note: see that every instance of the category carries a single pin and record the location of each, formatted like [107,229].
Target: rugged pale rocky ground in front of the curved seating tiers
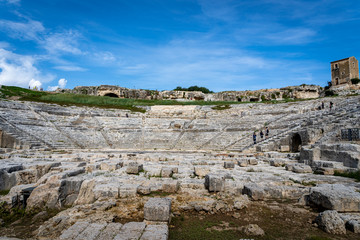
[271,190]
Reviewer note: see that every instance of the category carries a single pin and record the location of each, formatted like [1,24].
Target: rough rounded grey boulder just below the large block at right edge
[331,222]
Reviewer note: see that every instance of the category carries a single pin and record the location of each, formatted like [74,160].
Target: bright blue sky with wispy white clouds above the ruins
[161,44]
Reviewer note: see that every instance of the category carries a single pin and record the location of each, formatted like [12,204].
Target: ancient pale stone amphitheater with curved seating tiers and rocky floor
[116,174]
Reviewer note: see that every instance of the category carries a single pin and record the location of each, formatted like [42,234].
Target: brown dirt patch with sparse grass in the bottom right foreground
[278,220]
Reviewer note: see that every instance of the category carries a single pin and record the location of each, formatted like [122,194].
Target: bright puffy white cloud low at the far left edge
[19,70]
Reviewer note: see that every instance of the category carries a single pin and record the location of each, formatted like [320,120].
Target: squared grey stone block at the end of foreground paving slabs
[157,209]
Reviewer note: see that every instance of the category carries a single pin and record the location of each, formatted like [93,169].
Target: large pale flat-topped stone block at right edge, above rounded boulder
[335,197]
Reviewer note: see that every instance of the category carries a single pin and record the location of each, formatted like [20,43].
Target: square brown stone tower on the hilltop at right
[342,71]
